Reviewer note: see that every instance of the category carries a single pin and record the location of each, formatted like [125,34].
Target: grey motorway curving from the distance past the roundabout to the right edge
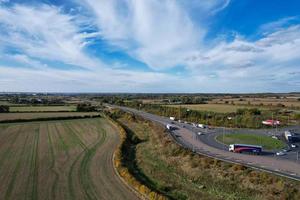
[186,136]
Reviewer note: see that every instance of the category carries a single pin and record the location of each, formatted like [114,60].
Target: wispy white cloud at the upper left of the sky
[45,32]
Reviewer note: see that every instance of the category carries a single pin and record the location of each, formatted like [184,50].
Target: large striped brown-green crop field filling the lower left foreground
[67,159]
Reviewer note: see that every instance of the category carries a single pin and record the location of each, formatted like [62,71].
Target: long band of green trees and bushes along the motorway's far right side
[242,118]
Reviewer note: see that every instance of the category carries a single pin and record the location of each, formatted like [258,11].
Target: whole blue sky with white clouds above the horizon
[149,46]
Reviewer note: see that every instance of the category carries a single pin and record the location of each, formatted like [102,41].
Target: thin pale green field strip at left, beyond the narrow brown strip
[41,108]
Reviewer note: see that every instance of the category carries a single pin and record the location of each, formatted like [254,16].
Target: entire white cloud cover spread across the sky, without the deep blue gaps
[159,33]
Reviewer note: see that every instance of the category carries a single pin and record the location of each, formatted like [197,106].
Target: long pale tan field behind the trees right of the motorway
[220,108]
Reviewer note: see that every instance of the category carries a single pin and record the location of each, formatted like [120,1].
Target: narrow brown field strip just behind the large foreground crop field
[27,116]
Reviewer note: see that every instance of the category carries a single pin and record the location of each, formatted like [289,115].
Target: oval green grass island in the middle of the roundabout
[238,138]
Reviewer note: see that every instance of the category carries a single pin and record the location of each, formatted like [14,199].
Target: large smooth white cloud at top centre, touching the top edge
[155,32]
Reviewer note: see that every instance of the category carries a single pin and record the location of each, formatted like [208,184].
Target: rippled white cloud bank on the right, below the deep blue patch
[272,59]
